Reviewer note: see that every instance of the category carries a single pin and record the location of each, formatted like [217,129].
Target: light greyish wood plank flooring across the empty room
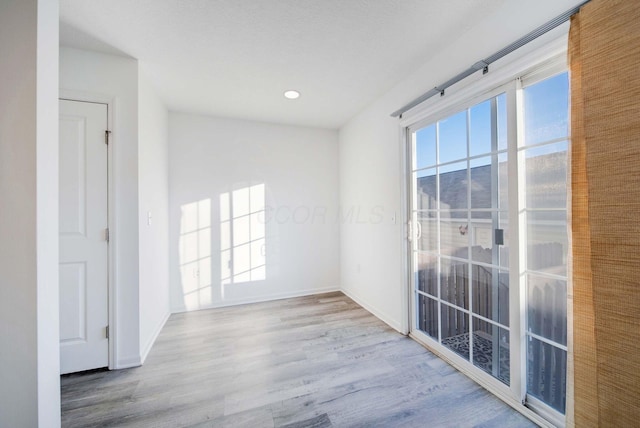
[316,361]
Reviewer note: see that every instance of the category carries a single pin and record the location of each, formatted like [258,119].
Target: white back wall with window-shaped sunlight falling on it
[211,156]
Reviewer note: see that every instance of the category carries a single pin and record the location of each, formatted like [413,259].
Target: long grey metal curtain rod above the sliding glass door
[484,64]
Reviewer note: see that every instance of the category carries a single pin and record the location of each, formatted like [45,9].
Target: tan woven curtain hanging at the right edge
[604,56]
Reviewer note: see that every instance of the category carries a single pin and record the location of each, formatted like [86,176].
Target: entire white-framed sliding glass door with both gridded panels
[488,238]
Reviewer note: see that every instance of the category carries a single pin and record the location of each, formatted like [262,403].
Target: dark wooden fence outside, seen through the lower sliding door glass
[547,315]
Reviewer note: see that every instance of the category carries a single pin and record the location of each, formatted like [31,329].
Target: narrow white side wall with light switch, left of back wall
[153,128]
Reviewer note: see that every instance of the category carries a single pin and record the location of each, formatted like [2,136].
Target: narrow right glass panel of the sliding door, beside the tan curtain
[544,150]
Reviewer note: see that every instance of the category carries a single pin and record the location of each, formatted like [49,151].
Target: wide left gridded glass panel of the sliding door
[460,212]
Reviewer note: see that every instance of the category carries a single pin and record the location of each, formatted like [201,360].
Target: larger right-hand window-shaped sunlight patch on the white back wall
[242,235]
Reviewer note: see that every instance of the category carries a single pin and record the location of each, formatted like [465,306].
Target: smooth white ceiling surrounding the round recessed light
[235,58]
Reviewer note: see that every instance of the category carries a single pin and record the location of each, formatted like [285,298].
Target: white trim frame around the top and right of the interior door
[111,251]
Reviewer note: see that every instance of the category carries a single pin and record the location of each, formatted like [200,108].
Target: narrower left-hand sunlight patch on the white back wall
[195,253]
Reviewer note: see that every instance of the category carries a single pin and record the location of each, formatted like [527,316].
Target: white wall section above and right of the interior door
[90,74]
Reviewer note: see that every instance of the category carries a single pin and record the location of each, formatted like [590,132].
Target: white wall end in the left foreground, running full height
[29,364]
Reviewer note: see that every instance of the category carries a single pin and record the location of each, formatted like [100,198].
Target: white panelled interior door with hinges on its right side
[83,237]
